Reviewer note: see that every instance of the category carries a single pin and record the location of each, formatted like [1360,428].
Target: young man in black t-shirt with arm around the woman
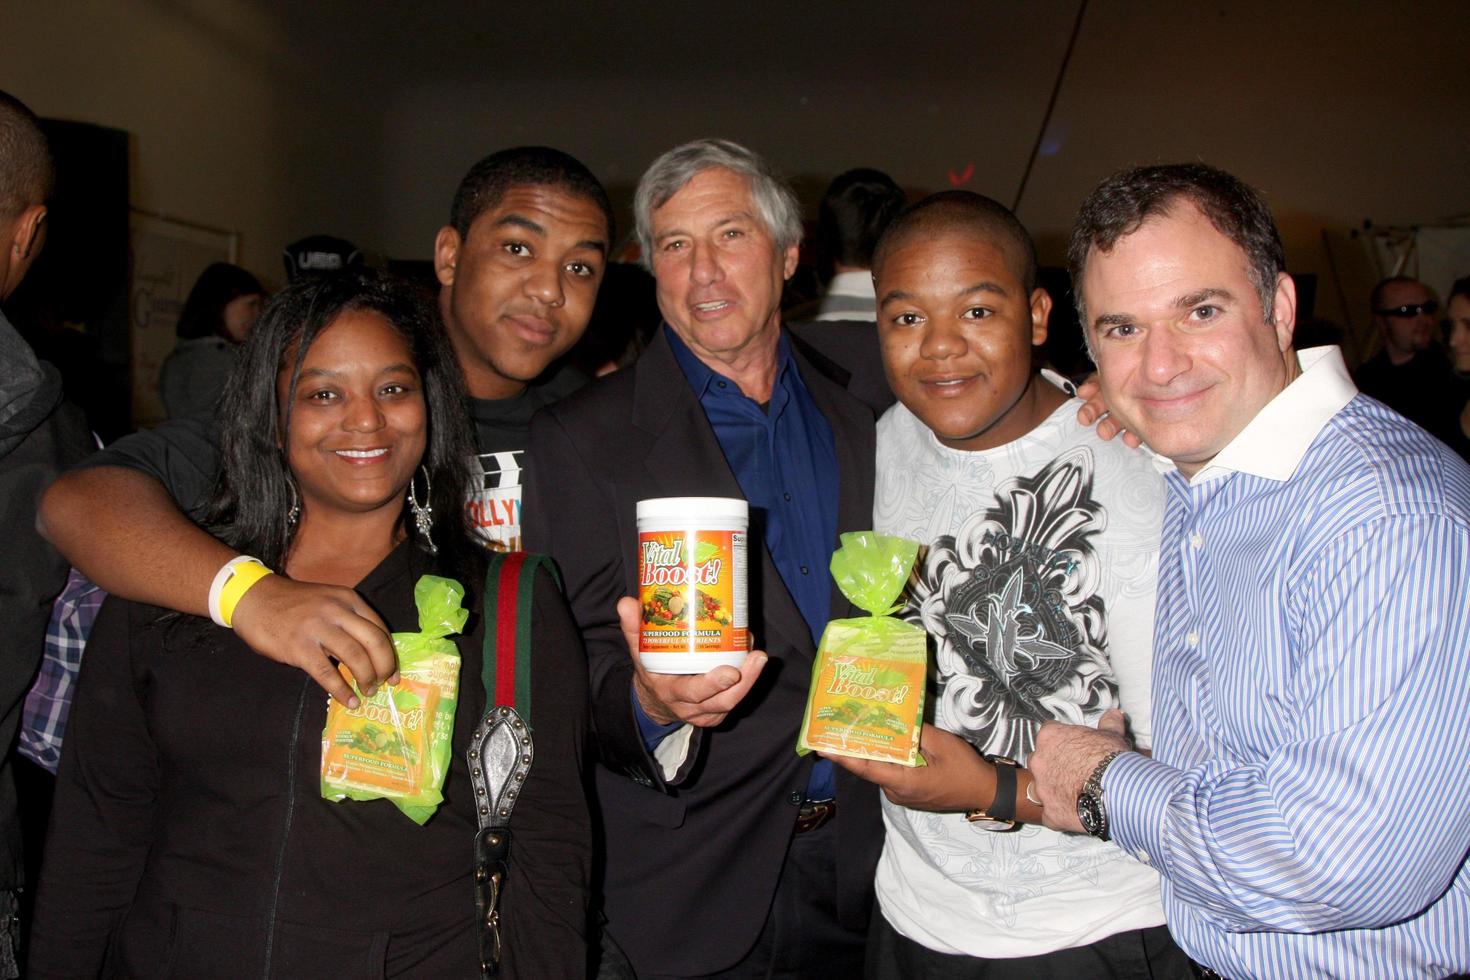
[518,265]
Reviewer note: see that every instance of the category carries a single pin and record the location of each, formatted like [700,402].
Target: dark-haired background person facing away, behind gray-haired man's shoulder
[852,217]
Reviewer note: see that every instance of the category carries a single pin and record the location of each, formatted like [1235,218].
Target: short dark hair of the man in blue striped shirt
[1124,202]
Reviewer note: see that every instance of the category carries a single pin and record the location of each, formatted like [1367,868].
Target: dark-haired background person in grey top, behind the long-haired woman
[215,321]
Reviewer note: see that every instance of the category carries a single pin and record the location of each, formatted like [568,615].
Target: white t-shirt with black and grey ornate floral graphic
[1037,586]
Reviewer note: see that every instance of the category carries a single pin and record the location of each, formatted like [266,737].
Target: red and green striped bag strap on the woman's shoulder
[509,593]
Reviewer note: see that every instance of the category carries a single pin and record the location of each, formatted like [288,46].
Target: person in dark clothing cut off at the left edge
[40,434]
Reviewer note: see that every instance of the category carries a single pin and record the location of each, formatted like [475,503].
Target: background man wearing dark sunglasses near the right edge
[1410,374]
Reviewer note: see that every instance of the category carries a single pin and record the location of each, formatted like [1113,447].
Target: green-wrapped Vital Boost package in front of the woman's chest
[396,744]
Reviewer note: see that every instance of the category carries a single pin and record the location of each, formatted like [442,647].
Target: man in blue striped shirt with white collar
[1306,800]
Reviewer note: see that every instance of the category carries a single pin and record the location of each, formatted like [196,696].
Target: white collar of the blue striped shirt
[1275,442]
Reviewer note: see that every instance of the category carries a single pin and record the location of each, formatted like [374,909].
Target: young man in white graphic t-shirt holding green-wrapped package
[1037,588]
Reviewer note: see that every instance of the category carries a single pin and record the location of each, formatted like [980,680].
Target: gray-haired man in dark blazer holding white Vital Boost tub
[725,853]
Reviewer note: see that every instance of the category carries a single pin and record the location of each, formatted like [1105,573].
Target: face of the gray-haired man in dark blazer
[720,273]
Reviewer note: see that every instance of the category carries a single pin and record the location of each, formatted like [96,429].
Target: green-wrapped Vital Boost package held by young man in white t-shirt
[868,681]
